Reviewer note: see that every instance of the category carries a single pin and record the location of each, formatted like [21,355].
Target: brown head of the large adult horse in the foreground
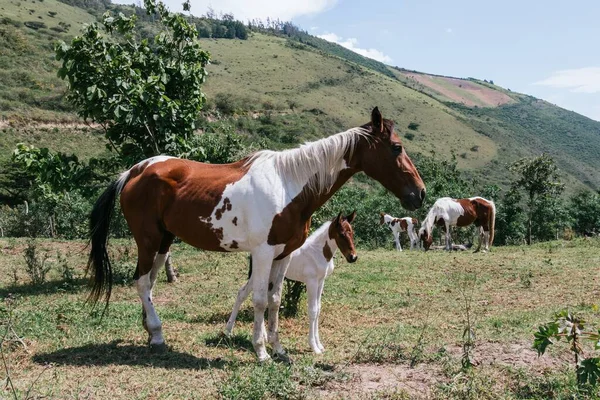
[384,159]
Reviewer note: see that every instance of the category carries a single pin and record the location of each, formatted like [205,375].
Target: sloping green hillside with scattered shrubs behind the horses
[308,88]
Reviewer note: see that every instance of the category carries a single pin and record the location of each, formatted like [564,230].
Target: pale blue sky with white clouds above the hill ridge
[548,49]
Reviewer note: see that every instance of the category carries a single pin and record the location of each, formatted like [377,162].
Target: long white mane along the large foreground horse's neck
[318,163]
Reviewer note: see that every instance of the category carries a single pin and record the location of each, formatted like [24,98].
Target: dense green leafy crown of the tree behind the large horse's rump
[146,95]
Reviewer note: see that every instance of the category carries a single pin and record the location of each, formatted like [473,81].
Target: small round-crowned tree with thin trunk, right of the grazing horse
[538,177]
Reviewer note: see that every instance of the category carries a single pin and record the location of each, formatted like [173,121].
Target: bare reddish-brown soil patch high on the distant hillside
[468,93]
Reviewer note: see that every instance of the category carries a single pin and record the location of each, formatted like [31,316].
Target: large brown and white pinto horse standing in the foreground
[262,204]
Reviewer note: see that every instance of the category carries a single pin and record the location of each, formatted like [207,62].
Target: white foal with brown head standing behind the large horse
[311,264]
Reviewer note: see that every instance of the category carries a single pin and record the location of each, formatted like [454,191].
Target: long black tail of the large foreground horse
[98,263]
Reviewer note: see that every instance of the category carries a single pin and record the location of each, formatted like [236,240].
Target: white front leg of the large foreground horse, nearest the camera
[262,258]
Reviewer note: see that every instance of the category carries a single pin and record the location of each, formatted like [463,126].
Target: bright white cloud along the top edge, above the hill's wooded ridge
[245,10]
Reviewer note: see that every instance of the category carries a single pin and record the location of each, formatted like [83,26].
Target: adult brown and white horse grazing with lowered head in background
[447,212]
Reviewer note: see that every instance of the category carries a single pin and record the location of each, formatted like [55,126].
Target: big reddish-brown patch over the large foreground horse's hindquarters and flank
[184,195]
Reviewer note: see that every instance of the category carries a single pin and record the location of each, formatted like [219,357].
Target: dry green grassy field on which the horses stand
[391,324]
